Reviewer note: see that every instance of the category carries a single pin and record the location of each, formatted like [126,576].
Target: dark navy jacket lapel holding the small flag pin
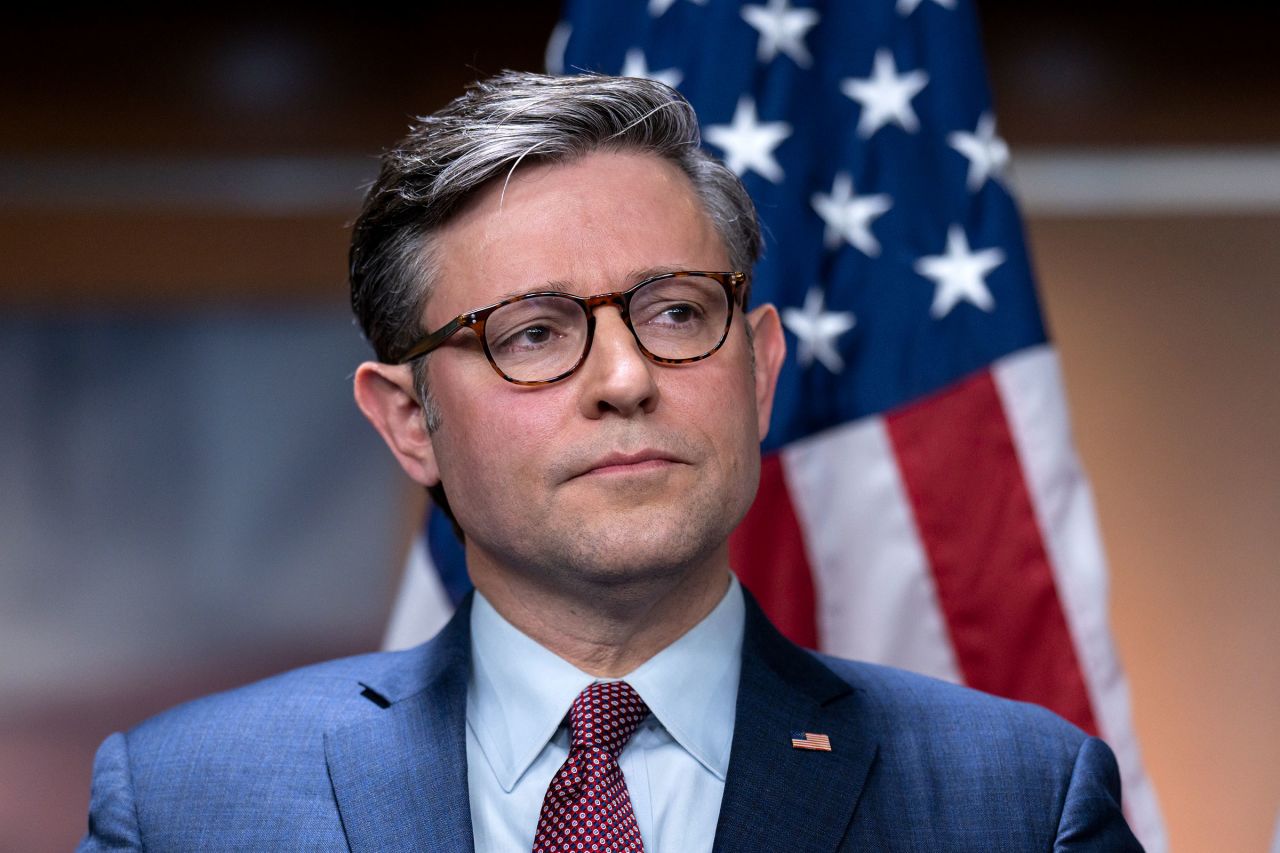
[776,797]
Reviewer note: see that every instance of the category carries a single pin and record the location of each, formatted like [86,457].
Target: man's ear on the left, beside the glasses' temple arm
[386,394]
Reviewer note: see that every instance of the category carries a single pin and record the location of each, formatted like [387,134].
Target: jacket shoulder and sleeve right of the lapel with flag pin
[1004,770]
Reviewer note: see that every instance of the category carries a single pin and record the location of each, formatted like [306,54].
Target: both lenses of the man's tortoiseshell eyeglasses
[541,337]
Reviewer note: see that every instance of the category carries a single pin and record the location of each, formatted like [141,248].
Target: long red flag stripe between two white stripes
[993,574]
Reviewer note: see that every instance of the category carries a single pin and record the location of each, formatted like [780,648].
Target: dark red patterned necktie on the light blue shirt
[587,805]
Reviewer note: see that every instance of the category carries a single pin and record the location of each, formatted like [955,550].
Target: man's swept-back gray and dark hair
[486,134]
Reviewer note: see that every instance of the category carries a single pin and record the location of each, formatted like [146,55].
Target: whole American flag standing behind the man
[921,503]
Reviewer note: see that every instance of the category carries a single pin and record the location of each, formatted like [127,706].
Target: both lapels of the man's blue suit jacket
[395,795]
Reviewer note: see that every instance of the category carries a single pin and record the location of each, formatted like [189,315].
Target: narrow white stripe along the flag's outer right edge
[1031,390]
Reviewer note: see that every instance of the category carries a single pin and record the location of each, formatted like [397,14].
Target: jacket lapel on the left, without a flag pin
[400,778]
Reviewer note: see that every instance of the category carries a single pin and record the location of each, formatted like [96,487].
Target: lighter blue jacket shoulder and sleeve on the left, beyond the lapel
[207,774]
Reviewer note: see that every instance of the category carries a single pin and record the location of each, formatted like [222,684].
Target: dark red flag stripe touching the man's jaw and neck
[767,554]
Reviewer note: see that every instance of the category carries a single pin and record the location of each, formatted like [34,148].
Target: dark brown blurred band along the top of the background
[277,80]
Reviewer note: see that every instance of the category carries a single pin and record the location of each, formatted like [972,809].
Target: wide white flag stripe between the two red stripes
[876,595]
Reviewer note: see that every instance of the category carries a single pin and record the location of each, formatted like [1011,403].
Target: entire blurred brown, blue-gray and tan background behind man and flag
[189,500]
